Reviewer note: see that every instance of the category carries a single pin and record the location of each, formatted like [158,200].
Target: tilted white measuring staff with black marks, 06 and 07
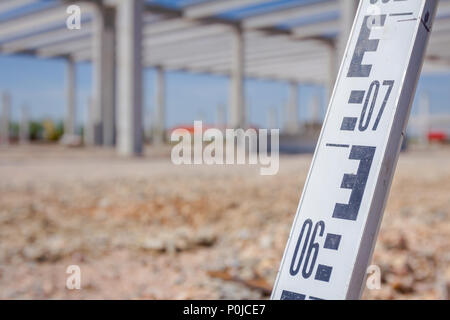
[339,214]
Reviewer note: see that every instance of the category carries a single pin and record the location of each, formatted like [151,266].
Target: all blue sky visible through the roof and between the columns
[40,84]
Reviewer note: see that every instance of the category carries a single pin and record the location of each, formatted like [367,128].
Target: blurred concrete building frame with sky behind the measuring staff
[120,77]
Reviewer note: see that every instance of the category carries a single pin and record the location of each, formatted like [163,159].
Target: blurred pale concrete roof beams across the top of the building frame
[200,32]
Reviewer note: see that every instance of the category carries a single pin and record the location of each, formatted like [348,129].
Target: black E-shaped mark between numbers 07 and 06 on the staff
[355,182]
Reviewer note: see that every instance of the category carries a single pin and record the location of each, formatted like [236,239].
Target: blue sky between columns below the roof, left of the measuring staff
[40,84]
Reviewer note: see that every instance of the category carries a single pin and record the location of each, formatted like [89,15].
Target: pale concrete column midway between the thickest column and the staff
[237,107]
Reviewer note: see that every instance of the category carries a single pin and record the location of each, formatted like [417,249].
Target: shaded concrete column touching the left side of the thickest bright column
[103,67]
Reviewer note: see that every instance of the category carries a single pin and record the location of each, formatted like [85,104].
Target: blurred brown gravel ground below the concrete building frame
[146,229]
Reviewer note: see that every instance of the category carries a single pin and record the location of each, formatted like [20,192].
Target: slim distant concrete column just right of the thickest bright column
[160,110]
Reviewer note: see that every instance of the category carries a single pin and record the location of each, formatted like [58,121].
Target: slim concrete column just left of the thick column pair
[69,123]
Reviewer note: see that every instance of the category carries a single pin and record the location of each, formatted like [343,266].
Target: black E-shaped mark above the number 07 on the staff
[363,45]
